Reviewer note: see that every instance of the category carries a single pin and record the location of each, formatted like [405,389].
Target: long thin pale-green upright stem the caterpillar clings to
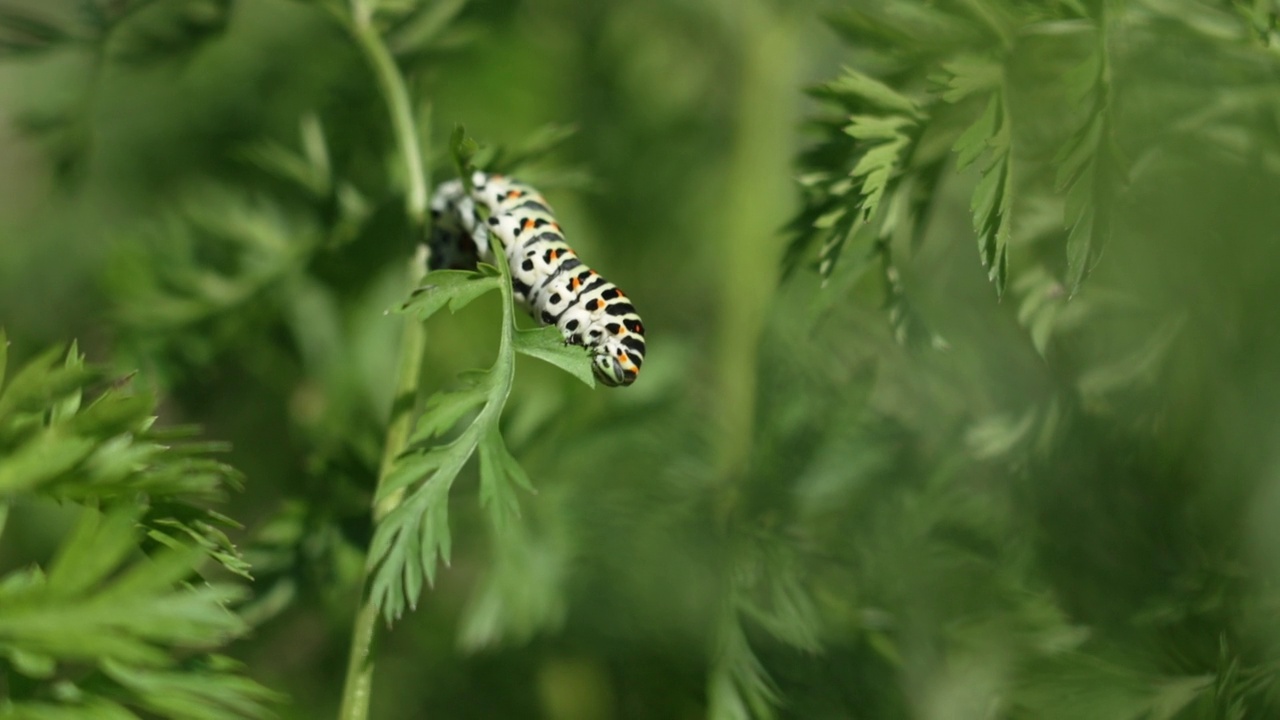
[358,690]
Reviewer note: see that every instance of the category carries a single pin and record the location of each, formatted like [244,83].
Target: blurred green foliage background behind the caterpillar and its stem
[1036,507]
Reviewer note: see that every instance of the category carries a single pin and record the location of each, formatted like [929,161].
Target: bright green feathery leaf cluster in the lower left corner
[118,623]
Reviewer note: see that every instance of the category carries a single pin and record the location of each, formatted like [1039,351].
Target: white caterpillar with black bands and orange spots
[547,279]
